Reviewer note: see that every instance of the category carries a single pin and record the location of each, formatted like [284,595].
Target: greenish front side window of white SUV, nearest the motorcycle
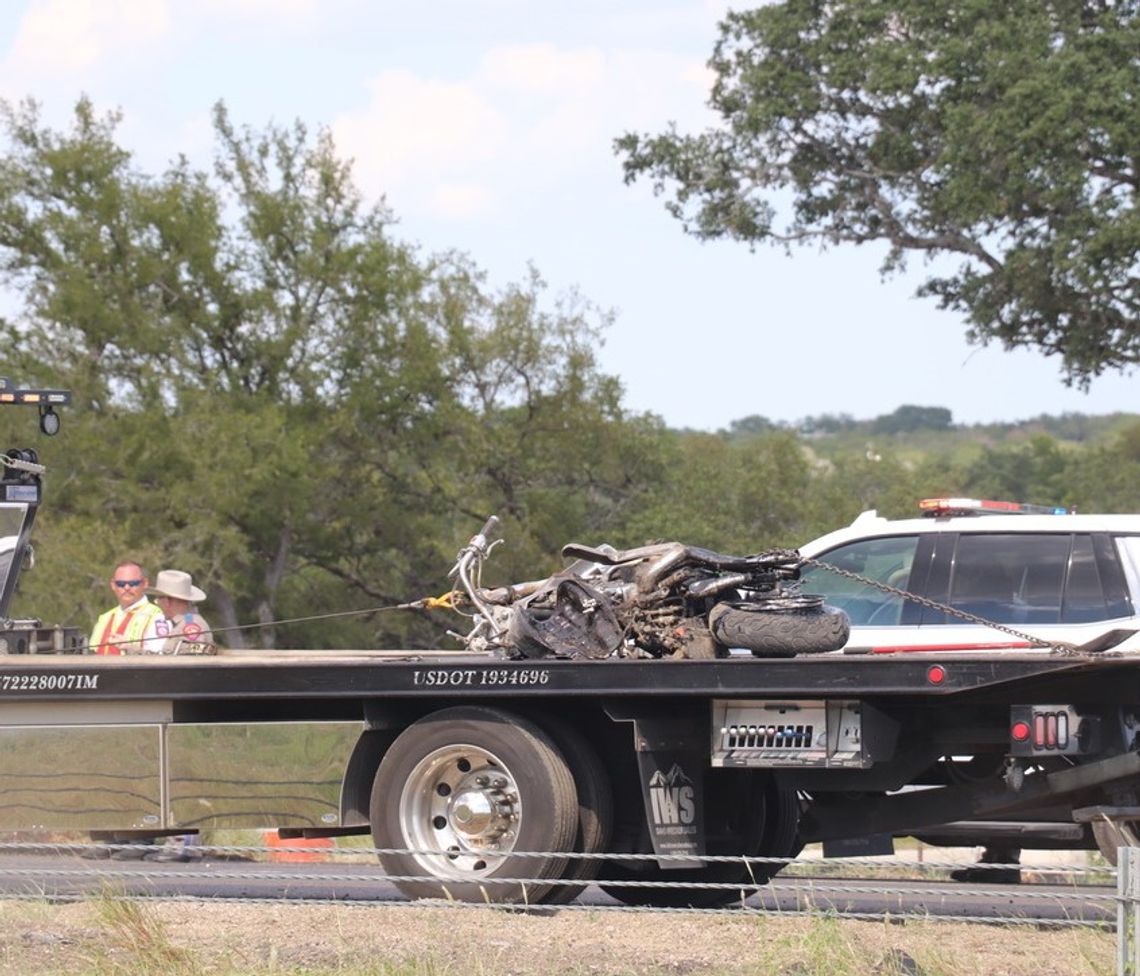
[886,560]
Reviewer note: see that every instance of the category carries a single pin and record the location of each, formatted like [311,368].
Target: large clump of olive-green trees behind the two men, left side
[274,394]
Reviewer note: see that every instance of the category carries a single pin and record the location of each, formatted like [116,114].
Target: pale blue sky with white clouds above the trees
[487,127]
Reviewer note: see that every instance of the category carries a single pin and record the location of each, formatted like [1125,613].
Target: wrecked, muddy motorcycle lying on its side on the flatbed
[655,601]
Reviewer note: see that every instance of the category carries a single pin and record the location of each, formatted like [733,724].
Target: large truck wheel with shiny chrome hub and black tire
[459,792]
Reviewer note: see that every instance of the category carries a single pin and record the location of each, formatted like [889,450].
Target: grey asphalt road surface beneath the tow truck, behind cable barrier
[55,877]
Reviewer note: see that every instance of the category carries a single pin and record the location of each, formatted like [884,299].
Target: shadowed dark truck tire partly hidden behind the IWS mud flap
[746,815]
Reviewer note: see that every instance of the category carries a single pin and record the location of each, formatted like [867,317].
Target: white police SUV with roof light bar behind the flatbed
[1045,576]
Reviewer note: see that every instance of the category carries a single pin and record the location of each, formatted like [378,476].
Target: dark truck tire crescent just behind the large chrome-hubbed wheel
[596,810]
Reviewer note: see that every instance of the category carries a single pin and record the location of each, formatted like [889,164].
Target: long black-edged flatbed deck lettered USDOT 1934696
[405,674]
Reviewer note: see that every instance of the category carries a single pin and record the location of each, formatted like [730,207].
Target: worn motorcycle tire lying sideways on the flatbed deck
[775,633]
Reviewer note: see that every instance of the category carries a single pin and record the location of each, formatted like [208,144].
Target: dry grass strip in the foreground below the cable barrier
[112,938]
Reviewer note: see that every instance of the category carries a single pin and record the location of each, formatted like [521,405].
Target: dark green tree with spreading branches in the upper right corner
[1000,135]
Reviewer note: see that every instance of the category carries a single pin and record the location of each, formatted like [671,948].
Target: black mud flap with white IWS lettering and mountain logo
[672,755]
